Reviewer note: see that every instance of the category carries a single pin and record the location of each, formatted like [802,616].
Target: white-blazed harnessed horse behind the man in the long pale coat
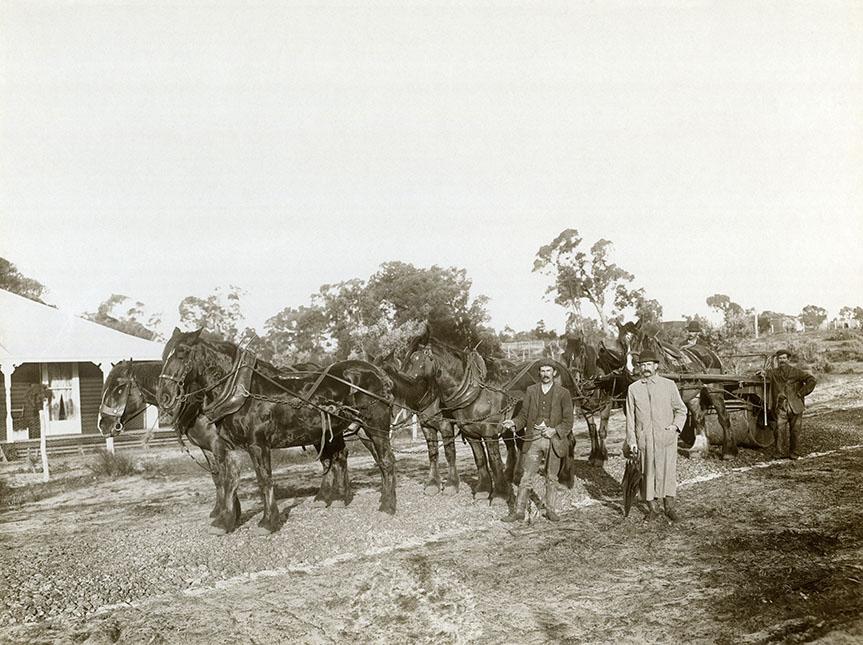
[699,394]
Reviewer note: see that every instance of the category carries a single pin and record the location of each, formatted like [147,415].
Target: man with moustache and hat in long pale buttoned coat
[655,415]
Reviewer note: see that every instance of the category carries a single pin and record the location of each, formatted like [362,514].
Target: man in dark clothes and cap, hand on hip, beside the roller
[788,386]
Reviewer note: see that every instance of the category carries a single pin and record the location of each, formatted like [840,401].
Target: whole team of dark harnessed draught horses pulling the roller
[221,397]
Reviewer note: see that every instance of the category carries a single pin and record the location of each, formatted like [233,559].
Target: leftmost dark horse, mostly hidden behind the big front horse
[130,387]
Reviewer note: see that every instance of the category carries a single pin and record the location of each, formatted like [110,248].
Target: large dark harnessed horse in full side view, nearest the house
[257,407]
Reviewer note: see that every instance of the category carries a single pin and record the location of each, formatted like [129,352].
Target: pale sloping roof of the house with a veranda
[31,332]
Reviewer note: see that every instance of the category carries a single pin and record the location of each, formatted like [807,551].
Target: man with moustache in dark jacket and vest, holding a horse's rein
[546,417]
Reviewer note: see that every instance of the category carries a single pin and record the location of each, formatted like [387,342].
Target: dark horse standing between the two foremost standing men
[600,384]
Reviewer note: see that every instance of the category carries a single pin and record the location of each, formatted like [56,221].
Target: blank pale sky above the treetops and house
[162,149]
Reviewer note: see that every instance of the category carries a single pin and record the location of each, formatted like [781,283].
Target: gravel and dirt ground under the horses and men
[763,554]
